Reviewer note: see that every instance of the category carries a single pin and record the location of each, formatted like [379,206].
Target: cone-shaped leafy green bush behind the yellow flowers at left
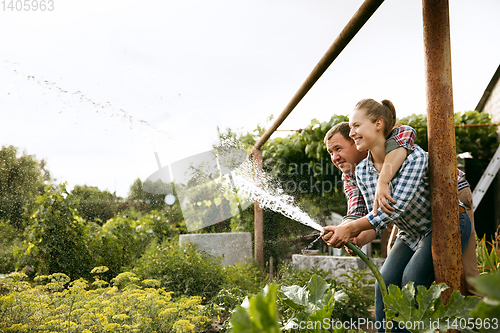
[55,240]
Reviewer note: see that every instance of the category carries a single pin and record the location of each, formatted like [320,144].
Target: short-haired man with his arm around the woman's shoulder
[345,156]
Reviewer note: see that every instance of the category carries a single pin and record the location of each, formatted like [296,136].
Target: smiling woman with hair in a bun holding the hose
[410,259]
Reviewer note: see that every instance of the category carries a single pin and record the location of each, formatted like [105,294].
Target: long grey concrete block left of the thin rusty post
[234,247]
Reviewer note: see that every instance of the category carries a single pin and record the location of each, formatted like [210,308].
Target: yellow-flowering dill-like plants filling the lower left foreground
[58,305]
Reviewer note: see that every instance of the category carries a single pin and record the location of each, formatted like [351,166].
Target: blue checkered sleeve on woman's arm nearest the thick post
[413,173]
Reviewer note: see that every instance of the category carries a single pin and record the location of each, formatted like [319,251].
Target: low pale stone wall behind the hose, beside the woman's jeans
[336,265]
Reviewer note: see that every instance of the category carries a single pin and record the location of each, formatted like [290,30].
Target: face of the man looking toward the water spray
[344,154]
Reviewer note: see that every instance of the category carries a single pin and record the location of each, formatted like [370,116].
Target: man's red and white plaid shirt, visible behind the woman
[404,136]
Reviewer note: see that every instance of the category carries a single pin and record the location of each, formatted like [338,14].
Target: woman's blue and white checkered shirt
[410,187]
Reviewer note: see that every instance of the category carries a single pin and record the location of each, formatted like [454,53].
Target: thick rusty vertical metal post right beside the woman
[446,248]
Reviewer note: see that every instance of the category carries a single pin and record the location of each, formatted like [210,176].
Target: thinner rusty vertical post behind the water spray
[258,213]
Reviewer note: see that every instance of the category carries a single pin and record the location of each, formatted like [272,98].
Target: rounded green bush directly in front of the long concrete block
[182,270]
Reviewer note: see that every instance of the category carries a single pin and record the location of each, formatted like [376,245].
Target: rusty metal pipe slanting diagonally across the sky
[364,12]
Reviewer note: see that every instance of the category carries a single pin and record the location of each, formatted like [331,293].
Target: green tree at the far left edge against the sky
[22,178]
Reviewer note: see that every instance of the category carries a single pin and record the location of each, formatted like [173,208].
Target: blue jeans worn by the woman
[404,265]
